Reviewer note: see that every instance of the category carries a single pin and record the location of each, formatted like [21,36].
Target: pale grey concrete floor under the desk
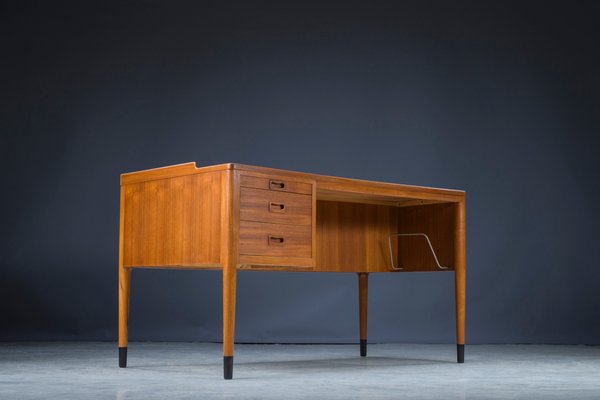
[194,370]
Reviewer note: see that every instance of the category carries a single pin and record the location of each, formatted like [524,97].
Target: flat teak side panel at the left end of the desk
[173,222]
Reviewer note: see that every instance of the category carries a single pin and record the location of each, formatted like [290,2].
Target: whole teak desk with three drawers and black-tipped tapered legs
[238,217]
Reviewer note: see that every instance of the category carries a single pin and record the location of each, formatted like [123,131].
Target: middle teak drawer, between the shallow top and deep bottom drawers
[273,206]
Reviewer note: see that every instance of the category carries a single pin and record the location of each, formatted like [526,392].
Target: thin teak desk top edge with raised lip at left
[322,180]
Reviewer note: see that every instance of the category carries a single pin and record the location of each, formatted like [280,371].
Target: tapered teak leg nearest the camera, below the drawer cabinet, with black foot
[229,282]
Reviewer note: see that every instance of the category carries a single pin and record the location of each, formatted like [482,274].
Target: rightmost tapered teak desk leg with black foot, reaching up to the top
[460,280]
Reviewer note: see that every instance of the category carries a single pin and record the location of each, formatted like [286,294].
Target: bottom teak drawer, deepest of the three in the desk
[259,238]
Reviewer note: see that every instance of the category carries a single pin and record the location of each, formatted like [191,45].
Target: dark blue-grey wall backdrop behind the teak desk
[498,98]
